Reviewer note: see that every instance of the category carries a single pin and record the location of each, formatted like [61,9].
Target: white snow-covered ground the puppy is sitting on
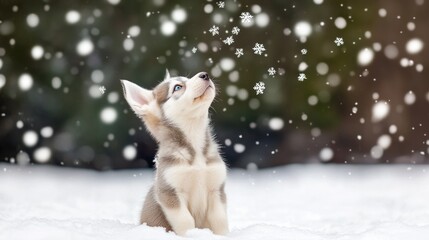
[295,202]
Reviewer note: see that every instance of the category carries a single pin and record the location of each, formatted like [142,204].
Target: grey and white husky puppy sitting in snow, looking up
[188,191]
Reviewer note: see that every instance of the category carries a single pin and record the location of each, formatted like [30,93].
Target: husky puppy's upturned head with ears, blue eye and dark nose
[176,99]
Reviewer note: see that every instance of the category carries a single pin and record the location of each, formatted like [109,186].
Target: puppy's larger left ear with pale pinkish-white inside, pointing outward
[138,98]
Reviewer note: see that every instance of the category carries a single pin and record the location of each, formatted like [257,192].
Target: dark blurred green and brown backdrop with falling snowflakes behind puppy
[345,81]
